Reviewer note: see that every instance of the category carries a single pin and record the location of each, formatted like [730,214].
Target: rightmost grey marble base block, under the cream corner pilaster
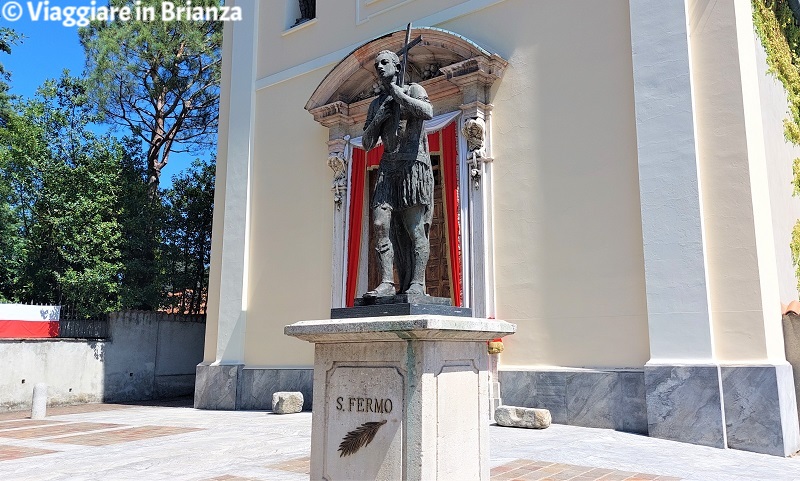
[761,409]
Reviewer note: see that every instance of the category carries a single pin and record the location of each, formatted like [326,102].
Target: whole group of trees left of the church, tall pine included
[83,221]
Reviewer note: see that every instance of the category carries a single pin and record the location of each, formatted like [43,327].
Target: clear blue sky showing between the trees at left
[47,49]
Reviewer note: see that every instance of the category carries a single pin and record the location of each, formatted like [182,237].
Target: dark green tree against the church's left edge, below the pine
[187,235]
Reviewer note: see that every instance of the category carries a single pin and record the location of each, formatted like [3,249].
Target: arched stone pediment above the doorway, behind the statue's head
[441,62]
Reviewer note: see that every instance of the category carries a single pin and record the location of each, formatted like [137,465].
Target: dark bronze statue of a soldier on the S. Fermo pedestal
[402,206]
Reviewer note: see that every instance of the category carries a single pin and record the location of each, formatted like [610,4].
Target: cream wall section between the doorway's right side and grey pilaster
[568,242]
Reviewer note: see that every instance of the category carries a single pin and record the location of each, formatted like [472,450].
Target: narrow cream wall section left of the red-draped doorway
[291,225]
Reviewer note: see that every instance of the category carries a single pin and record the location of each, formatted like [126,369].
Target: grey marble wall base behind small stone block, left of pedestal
[257,385]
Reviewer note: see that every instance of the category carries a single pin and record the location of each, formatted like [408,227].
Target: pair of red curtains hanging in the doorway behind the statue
[450,192]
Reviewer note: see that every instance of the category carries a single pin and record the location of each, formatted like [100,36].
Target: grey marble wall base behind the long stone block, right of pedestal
[610,399]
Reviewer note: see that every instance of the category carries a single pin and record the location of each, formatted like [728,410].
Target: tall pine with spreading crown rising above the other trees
[160,79]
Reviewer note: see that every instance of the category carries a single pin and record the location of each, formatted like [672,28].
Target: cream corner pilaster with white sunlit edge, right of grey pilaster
[739,245]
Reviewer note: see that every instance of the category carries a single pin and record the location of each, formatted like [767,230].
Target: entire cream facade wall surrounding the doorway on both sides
[569,260]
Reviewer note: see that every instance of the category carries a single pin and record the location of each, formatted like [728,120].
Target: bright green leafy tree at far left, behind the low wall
[65,201]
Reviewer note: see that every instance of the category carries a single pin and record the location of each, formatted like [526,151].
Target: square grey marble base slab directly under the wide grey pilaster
[684,403]
